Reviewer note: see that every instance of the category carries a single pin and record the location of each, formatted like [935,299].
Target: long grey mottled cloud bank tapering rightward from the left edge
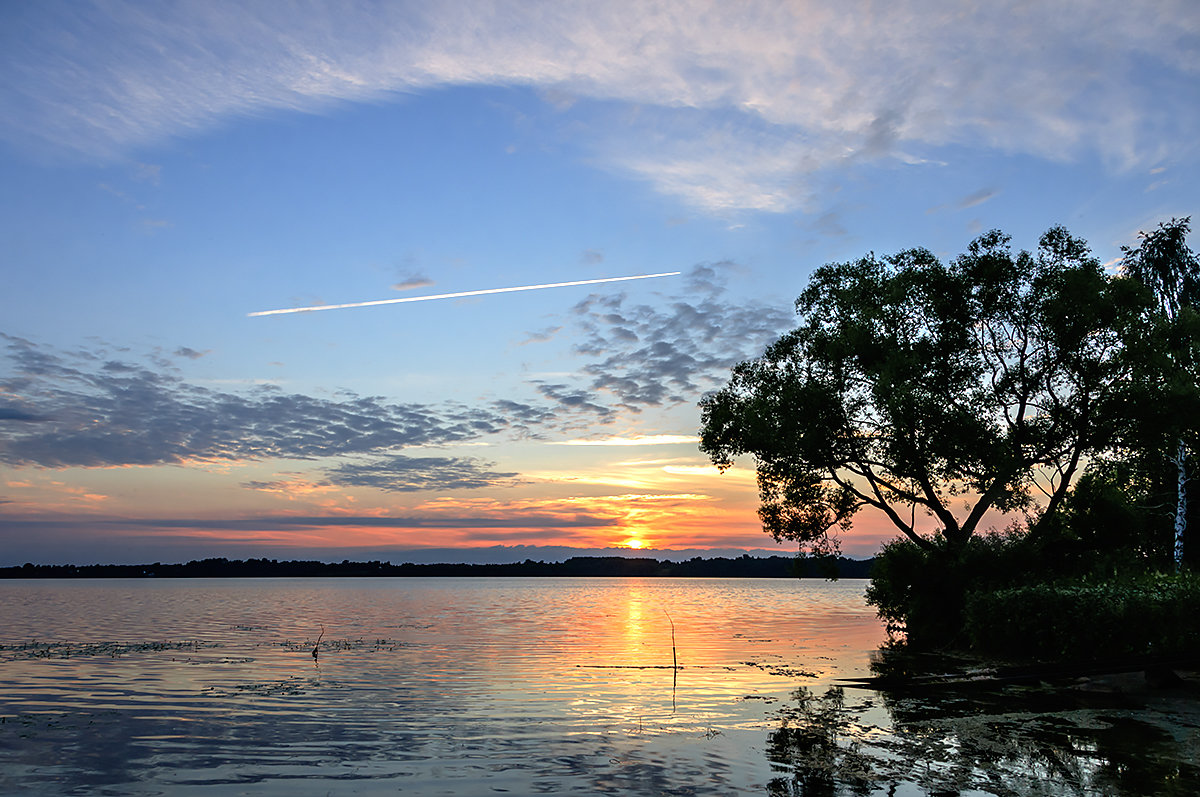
[98,411]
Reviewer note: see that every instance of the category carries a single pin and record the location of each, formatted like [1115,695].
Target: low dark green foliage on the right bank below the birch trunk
[1151,614]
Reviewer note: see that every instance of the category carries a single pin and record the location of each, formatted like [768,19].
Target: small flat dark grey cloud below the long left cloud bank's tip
[399,474]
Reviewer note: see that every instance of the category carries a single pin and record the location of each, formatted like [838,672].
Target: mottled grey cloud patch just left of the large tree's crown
[653,357]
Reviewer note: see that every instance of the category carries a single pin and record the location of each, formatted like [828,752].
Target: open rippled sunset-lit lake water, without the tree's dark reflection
[557,686]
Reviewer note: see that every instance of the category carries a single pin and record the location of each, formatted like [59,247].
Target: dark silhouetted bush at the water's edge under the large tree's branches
[1101,537]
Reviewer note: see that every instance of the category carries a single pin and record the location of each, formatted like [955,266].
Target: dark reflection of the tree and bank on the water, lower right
[1108,735]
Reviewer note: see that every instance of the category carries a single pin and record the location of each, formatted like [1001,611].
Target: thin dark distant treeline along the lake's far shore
[745,567]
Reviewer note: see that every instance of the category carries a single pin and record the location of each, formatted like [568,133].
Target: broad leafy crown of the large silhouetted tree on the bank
[929,389]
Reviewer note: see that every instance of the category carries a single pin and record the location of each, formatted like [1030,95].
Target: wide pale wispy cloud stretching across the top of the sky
[729,106]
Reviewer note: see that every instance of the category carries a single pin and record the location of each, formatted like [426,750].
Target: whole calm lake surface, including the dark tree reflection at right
[529,686]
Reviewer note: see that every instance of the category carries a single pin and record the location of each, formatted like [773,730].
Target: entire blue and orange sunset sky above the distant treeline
[167,170]
